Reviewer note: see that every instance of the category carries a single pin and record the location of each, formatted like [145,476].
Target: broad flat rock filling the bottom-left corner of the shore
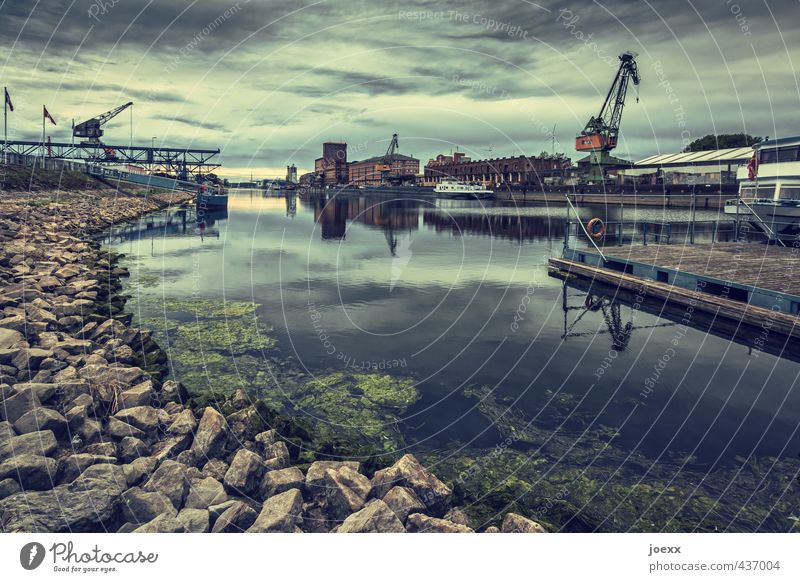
[81,506]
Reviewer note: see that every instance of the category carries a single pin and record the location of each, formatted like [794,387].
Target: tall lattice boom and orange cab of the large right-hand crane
[601,132]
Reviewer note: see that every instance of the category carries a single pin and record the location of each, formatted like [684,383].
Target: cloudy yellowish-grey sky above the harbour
[267,81]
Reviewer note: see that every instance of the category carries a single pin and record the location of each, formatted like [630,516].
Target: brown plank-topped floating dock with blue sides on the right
[756,284]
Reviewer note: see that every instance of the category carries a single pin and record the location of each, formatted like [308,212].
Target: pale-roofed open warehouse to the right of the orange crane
[716,167]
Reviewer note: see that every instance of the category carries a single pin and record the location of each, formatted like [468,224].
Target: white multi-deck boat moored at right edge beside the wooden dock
[769,189]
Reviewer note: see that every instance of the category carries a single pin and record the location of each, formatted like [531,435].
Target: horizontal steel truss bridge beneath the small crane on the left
[181,162]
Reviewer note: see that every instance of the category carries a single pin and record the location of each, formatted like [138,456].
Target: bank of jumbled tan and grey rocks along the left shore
[92,438]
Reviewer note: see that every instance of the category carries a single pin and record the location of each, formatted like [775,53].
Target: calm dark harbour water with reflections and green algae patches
[525,398]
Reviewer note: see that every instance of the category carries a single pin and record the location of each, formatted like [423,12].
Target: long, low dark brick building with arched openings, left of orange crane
[514,170]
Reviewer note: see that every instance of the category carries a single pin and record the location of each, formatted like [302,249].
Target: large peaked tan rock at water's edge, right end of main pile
[408,472]
